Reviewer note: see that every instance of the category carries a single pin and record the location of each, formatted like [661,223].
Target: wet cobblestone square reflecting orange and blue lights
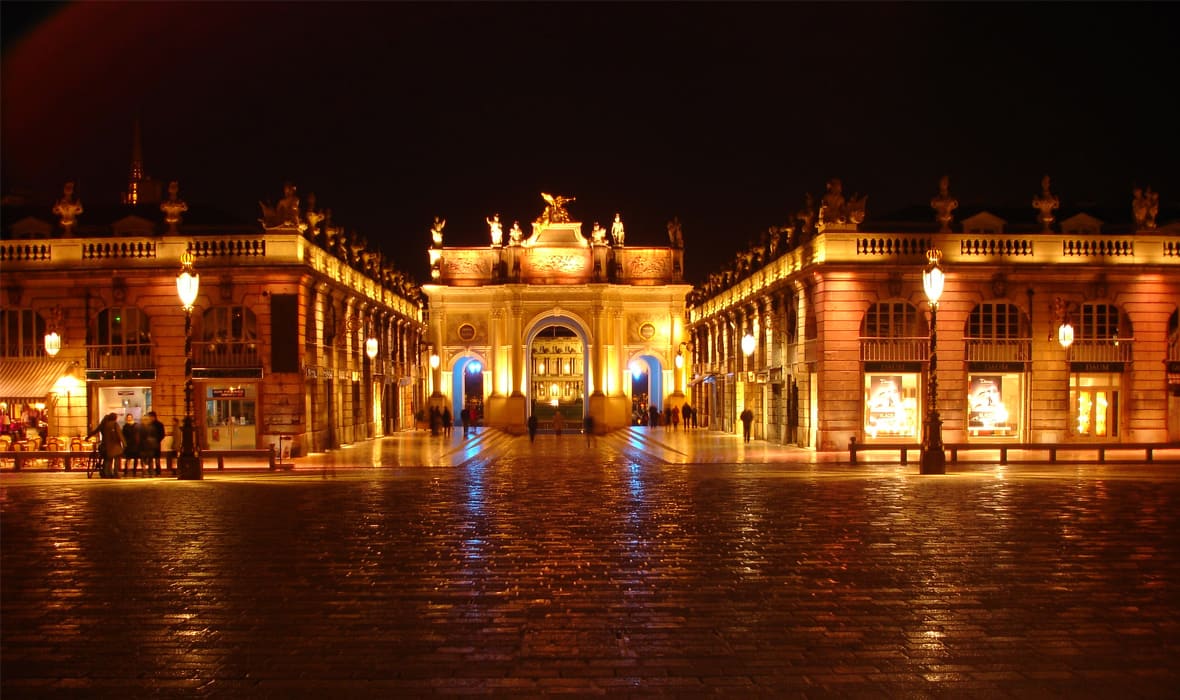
[635,565]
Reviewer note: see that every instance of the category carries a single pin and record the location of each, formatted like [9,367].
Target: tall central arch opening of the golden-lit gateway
[559,375]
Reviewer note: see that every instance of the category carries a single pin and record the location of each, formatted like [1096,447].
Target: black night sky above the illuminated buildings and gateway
[722,114]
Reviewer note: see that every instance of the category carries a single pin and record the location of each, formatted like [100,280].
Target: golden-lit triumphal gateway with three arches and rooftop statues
[555,323]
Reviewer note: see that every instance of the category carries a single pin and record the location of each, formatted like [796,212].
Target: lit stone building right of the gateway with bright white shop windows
[840,338]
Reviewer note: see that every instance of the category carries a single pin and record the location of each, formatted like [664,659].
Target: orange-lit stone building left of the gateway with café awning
[299,330]
